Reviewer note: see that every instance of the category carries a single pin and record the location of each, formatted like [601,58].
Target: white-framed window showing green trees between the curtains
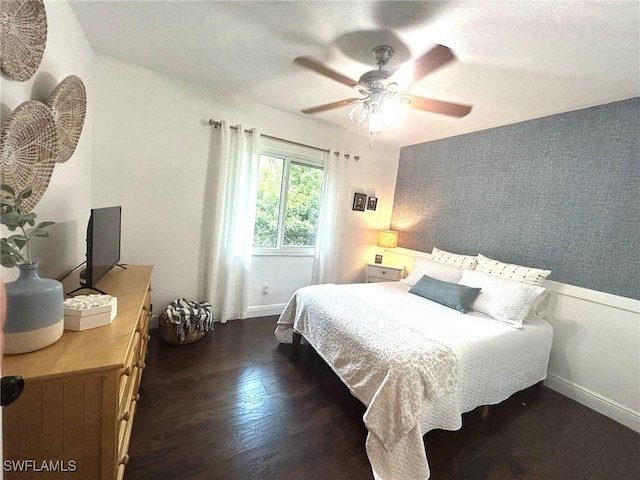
[288,203]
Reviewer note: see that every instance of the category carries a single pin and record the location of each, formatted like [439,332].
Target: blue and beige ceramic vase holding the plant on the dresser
[35,312]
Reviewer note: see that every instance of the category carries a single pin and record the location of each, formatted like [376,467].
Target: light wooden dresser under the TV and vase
[76,411]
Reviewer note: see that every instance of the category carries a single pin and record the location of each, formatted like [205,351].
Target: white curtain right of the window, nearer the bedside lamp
[326,261]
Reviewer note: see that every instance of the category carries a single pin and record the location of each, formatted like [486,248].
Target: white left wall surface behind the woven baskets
[67,198]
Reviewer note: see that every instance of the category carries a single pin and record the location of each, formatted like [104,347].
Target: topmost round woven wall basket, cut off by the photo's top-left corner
[23,36]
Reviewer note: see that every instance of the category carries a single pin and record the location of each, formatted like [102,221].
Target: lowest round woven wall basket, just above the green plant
[28,148]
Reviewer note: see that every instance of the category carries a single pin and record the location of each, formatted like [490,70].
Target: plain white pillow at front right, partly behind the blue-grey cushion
[502,299]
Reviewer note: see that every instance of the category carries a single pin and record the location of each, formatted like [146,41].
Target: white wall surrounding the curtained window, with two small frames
[151,141]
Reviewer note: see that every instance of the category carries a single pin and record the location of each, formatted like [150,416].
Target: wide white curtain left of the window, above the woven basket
[228,219]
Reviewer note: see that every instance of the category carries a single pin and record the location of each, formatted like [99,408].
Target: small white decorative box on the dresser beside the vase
[89,311]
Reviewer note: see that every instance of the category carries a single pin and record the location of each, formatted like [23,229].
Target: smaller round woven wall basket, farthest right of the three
[68,104]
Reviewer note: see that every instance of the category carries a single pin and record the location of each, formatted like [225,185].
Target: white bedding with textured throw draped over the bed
[468,360]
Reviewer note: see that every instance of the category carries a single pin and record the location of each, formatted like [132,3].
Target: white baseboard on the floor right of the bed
[594,401]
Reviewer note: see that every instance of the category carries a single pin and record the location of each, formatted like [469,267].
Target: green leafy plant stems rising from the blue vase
[12,216]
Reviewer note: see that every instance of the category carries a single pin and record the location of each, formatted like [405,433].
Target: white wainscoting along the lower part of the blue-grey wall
[595,357]
